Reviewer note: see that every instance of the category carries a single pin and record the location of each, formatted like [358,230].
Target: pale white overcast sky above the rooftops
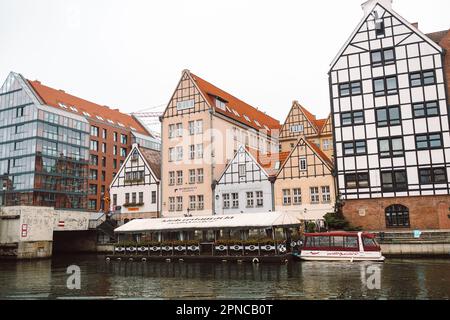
[130,54]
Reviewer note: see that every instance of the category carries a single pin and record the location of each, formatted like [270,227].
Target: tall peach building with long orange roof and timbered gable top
[202,129]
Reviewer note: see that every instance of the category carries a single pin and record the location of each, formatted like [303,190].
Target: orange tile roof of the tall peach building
[211,92]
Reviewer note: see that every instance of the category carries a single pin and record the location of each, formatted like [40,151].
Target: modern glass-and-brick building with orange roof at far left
[60,150]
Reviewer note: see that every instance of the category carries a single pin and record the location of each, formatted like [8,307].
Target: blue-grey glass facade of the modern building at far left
[43,155]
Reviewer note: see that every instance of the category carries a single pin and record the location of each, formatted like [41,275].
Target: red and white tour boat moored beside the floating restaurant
[341,246]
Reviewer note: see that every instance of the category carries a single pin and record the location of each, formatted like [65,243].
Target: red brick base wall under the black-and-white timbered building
[425,212]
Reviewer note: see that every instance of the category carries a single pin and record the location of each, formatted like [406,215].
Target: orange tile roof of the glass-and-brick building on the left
[52,97]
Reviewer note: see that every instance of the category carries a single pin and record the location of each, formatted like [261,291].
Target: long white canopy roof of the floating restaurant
[216,222]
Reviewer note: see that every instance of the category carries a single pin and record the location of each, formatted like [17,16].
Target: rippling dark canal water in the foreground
[393,279]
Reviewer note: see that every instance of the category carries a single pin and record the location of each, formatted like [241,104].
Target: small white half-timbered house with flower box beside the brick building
[135,190]
